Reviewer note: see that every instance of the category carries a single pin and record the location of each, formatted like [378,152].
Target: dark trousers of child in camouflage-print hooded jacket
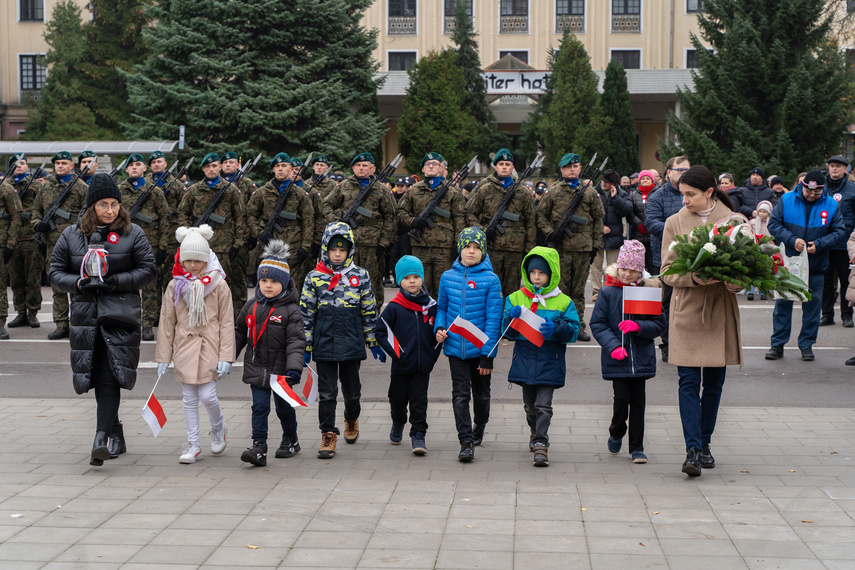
[329,375]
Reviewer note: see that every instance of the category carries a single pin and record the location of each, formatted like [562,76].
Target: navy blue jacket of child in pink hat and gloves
[640,347]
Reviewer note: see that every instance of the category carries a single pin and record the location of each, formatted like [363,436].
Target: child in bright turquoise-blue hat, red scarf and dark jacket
[405,331]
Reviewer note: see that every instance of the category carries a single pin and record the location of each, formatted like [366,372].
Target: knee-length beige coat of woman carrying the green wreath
[703,323]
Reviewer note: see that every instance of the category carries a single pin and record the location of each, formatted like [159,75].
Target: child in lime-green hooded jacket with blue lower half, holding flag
[543,321]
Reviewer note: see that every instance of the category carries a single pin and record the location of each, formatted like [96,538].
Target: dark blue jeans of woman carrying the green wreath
[698,412]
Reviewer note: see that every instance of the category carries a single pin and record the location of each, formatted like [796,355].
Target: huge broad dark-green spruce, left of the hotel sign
[256,75]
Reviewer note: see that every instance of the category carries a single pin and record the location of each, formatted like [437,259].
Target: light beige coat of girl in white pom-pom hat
[196,351]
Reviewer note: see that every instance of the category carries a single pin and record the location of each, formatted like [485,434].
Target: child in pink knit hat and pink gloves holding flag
[627,317]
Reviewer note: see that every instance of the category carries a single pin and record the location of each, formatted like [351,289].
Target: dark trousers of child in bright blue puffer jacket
[466,384]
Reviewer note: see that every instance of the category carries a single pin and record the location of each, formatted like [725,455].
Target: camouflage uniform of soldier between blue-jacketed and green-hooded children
[507,252]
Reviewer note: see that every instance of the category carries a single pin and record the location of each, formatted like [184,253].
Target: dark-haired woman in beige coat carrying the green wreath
[704,321]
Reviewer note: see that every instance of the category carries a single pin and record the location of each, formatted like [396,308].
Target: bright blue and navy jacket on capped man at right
[792,220]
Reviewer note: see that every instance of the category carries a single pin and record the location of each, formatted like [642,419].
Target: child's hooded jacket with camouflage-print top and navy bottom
[339,320]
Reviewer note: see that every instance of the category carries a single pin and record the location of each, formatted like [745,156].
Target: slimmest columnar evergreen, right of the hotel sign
[616,105]
